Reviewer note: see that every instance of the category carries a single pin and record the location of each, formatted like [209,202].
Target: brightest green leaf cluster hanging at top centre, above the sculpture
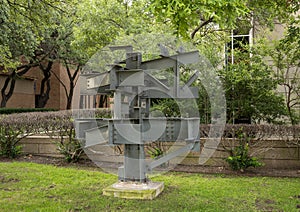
[187,16]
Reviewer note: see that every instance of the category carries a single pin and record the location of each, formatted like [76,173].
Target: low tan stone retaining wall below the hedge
[276,154]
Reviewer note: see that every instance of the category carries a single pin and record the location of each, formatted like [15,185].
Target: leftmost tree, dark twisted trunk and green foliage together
[25,25]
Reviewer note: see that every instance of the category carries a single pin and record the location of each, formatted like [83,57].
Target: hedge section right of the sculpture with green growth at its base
[244,138]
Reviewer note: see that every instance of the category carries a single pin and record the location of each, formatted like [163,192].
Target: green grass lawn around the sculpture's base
[35,187]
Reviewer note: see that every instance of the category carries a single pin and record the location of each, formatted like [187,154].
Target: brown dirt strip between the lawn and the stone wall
[87,164]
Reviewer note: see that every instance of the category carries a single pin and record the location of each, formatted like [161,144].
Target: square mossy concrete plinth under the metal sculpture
[133,190]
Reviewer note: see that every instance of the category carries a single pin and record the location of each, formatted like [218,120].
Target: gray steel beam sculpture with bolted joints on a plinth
[133,86]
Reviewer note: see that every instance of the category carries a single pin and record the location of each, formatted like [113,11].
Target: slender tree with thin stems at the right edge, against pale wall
[286,56]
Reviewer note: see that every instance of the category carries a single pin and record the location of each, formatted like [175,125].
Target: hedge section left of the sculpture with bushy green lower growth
[14,127]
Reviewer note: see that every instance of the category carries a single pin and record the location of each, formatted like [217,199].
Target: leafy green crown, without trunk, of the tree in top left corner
[25,24]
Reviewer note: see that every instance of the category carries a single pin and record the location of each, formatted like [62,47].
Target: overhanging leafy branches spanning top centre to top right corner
[189,18]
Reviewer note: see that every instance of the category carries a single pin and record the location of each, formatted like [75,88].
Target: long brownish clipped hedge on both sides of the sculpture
[16,126]
